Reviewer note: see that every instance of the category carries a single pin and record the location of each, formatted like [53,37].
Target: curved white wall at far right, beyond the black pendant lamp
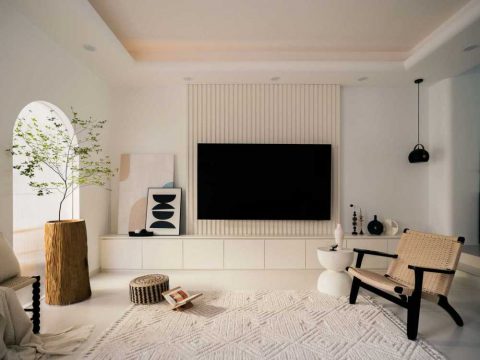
[454,181]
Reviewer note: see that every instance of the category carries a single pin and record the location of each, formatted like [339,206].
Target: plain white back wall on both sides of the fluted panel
[378,132]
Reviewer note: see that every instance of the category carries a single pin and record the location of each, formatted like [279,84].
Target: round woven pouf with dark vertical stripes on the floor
[148,289]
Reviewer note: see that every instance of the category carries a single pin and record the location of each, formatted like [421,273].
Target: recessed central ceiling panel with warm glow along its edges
[239,30]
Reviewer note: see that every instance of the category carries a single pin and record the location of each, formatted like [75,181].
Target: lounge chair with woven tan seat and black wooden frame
[424,266]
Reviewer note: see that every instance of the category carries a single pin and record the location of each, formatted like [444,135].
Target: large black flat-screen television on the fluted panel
[264,181]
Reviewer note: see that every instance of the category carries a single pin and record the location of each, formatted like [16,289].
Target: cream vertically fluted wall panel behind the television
[264,114]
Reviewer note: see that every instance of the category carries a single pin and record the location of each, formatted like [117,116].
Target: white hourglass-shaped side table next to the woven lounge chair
[334,280]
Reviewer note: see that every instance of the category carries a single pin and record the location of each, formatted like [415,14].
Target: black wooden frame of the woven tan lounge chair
[412,302]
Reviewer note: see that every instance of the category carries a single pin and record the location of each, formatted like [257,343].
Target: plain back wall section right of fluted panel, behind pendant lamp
[379,129]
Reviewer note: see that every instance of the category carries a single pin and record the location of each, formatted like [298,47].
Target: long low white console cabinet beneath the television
[189,252]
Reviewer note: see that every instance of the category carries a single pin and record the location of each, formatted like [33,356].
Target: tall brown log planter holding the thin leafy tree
[67,279]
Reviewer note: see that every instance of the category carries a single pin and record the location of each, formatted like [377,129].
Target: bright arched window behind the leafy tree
[30,211]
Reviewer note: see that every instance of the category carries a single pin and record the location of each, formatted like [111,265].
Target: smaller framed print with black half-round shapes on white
[163,211]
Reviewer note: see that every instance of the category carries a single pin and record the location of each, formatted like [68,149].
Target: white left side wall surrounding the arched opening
[33,67]
